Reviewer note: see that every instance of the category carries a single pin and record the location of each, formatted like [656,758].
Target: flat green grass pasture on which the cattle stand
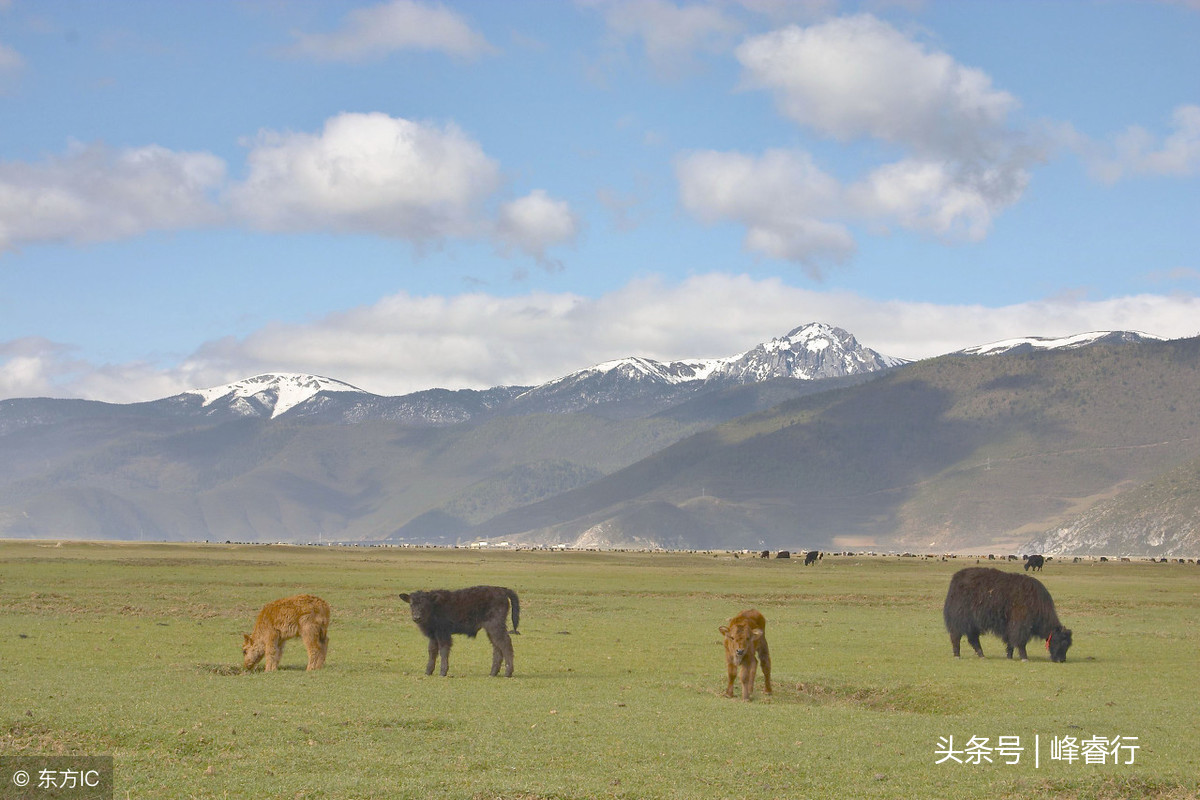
[134,651]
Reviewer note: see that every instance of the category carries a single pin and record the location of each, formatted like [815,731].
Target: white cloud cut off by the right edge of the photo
[1137,152]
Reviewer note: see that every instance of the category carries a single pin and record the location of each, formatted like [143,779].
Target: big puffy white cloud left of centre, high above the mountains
[369,173]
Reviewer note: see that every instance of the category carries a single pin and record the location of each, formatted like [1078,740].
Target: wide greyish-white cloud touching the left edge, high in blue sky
[98,194]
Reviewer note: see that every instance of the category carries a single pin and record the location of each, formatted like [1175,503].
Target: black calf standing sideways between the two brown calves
[443,612]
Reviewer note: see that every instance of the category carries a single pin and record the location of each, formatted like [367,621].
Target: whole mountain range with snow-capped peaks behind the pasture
[807,441]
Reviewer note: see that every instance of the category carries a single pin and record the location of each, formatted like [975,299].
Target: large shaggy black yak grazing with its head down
[1013,606]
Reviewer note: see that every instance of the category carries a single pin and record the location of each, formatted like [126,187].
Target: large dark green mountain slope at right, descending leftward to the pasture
[953,454]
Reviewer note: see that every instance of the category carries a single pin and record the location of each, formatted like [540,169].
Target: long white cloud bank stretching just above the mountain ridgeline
[406,344]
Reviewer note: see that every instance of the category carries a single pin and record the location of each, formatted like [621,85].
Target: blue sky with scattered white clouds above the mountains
[410,195]
